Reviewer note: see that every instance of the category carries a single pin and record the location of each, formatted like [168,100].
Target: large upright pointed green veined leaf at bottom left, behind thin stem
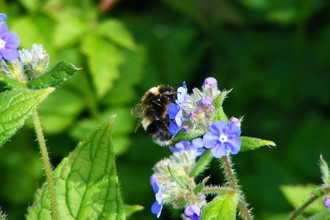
[86,182]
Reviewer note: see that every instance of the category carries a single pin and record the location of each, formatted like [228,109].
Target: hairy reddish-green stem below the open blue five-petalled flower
[230,176]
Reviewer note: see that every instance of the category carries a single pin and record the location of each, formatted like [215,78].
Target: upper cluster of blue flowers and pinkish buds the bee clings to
[197,111]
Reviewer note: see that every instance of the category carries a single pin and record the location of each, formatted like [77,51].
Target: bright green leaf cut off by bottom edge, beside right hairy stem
[221,208]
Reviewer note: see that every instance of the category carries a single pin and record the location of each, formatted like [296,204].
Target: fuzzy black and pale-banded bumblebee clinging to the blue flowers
[152,111]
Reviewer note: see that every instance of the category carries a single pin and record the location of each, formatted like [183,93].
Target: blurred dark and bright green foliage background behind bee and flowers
[275,54]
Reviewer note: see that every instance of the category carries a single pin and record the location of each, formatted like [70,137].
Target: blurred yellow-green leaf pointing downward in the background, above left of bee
[103,61]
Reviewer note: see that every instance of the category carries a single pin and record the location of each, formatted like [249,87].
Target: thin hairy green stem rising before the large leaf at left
[45,158]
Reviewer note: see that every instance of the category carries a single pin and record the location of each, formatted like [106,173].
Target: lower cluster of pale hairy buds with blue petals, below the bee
[173,185]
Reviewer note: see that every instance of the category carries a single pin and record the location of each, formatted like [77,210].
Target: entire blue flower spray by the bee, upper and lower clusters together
[172,181]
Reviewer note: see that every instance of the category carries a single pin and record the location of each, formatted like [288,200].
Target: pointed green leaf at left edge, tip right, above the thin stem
[15,107]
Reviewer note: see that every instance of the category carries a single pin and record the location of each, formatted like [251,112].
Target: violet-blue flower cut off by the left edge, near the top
[9,43]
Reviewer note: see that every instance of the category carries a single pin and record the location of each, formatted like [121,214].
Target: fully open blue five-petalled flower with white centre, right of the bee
[223,138]
